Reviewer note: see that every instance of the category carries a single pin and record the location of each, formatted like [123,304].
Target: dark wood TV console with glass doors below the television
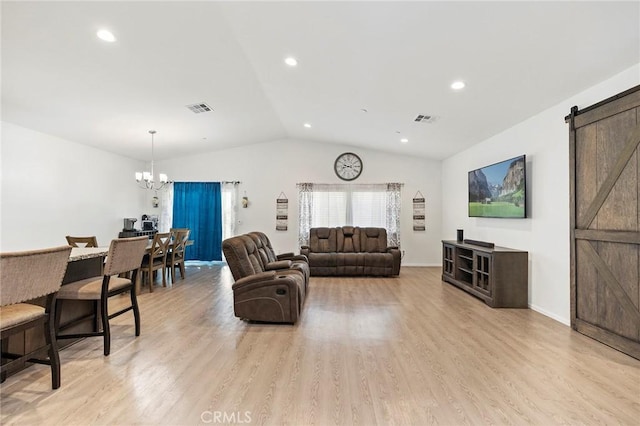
[497,275]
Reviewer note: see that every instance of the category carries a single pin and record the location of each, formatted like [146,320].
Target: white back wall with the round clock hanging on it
[267,169]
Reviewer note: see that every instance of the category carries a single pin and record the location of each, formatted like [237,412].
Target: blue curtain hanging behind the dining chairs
[198,206]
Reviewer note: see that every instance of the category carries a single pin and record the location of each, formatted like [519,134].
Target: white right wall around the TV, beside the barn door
[544,138]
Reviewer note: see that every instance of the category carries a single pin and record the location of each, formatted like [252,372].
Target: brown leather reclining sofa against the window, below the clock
[350,250]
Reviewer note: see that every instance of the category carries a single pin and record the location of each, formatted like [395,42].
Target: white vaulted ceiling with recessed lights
[396,60]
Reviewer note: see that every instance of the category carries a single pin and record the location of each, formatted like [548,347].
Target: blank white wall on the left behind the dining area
[52,187]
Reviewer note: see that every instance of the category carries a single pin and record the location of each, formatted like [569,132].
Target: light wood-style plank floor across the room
[406,351]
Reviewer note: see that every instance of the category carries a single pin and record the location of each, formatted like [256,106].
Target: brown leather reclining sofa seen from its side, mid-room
[266,288]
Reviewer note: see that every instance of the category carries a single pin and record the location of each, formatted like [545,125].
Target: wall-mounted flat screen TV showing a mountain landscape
[499,190]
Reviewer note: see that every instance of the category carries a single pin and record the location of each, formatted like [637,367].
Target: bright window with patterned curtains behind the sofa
[325,205]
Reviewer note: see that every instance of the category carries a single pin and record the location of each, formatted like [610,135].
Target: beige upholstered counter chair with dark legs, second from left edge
[124,257]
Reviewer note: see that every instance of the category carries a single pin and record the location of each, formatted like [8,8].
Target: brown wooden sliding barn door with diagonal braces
[605,236]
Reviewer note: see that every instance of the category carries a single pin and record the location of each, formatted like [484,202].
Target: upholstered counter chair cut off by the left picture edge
[25,276]
